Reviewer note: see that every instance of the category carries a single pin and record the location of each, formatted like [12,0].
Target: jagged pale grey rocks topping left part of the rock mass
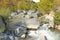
[17,14]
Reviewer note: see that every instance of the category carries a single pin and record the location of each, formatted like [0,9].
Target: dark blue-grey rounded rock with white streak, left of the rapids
[20,28]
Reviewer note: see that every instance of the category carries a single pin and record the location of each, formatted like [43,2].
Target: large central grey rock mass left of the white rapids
[19,21]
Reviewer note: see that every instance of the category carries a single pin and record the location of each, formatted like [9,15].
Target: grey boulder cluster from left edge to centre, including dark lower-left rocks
[18,24]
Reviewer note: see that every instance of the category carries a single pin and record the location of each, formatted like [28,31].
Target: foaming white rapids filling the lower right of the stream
[44,34]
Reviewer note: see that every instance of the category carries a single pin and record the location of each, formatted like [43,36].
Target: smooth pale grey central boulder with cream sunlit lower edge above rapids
[32,23]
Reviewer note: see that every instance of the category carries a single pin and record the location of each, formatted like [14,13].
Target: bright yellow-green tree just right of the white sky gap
[45,6]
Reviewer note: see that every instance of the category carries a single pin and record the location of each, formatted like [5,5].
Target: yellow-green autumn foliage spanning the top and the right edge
[44,6]
